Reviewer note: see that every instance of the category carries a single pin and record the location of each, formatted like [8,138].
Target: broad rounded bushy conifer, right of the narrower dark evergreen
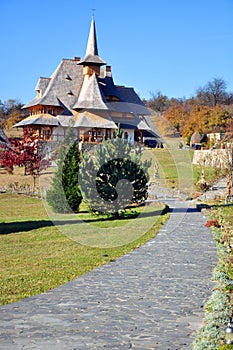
[113,177]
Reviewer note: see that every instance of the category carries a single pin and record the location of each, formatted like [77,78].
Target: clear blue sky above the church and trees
[174,46]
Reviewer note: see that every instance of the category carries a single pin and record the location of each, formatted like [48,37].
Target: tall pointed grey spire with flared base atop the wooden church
[92,57]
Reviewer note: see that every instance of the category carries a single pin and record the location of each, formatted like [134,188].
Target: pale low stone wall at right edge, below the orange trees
[220,158]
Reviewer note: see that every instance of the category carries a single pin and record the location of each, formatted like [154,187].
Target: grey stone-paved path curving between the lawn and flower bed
[151,298]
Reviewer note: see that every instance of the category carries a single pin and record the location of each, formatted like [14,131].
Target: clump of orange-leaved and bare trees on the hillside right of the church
[210,110]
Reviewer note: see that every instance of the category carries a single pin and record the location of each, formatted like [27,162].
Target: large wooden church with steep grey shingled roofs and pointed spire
[81,93]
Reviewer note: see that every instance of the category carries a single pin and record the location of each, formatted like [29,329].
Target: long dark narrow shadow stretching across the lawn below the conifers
[26,226]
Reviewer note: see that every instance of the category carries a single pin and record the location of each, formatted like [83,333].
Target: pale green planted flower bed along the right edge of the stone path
[219,307]
